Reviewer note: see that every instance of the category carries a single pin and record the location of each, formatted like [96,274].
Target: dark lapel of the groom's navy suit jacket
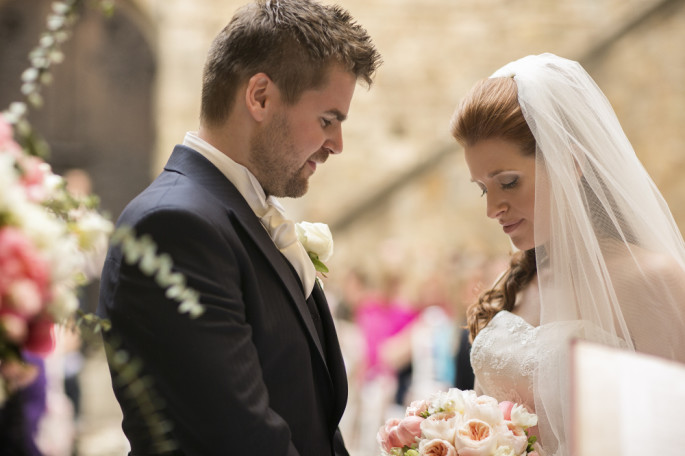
[189,162]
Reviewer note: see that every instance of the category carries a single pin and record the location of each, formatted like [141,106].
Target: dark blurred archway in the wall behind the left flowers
[98,111]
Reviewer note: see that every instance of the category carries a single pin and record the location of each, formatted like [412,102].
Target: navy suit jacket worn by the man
[260,372]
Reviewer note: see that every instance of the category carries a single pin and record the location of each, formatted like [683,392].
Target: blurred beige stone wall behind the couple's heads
[434,50]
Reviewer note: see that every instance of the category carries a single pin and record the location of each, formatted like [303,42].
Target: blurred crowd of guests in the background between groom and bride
[403,336]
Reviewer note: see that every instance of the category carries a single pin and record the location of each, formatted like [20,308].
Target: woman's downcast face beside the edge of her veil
[506,177]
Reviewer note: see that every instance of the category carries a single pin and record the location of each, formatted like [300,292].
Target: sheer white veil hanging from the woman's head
[610,258]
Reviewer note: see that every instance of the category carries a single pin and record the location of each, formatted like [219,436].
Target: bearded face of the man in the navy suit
[297,138]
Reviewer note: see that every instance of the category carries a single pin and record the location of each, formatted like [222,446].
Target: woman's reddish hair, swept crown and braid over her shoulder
[491,111]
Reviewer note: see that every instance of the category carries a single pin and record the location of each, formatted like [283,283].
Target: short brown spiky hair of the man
[295,42]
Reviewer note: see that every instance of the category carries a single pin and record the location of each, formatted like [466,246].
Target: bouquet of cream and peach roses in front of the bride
[459,423]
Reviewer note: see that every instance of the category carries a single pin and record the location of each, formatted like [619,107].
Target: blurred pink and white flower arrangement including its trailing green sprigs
[52,242]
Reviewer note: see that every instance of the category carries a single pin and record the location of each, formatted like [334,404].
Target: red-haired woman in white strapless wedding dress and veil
[598,257]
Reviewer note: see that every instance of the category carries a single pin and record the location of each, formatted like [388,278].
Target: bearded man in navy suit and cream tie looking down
[260,371]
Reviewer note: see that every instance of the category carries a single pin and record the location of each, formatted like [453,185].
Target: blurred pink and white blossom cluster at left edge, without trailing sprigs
[51,243]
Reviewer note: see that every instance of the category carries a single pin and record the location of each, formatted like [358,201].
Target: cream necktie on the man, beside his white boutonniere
[283,233]
